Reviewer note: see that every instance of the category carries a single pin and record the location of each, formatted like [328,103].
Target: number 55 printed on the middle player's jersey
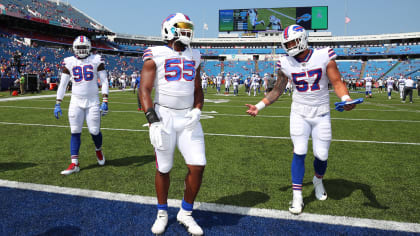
[176,68]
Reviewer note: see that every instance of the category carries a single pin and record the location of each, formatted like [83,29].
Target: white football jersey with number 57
[310,81]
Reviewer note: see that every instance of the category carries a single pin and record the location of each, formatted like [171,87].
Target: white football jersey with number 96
[84,74]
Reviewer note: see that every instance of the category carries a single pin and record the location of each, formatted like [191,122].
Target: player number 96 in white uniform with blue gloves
[83,70]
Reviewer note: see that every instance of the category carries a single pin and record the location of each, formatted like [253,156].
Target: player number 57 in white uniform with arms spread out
[310,70]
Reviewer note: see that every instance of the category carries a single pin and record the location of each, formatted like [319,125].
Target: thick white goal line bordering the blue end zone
[213,207]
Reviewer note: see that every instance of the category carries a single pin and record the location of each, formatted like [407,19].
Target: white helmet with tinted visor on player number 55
[179,27]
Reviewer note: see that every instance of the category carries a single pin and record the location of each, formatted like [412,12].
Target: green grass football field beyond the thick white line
[373,168]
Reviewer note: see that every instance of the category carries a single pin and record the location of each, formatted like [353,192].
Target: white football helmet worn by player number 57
[294,33]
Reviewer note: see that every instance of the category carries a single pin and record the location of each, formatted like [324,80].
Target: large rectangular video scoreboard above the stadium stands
[273,19]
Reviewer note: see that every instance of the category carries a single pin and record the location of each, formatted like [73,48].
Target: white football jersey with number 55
[175,75]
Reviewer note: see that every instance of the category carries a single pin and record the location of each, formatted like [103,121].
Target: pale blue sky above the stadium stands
[144,17]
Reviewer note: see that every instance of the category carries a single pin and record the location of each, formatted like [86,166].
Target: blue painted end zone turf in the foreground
[26,212]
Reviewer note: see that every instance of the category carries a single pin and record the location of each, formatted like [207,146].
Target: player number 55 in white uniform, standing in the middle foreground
[174,115]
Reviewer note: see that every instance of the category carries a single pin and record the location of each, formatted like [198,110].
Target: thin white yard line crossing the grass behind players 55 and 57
[225,135]
